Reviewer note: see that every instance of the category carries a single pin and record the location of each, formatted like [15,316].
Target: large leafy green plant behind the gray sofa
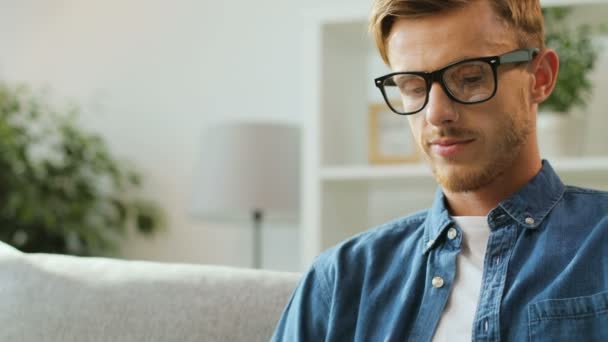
[61,190]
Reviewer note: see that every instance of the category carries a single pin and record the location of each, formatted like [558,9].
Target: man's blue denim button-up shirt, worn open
[544,276]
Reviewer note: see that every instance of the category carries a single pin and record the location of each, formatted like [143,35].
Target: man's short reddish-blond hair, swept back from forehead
[523,16]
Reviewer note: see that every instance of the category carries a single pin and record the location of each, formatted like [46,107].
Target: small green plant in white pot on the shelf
[560,128]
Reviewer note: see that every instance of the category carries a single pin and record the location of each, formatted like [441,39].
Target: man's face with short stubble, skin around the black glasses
[468,146]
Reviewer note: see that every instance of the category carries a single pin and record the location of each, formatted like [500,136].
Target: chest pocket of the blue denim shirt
[570,319]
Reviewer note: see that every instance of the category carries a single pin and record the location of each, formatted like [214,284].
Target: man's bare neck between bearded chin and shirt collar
[480,202]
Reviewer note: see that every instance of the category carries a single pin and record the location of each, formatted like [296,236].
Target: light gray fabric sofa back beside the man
[47,297]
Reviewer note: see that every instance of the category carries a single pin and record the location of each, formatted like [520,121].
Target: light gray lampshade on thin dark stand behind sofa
[247,167]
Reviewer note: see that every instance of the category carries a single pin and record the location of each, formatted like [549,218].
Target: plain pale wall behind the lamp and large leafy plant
[151,75]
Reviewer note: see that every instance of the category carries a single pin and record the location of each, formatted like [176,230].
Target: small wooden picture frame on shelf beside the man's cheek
[390,139]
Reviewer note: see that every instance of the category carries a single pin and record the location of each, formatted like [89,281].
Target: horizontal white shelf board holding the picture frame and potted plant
[422,171]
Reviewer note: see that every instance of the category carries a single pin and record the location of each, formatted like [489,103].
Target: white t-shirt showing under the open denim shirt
[456,323]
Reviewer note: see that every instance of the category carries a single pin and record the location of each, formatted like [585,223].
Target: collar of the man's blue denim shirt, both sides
[529,206]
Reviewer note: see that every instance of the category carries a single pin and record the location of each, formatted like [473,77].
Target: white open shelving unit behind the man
[342,194]
